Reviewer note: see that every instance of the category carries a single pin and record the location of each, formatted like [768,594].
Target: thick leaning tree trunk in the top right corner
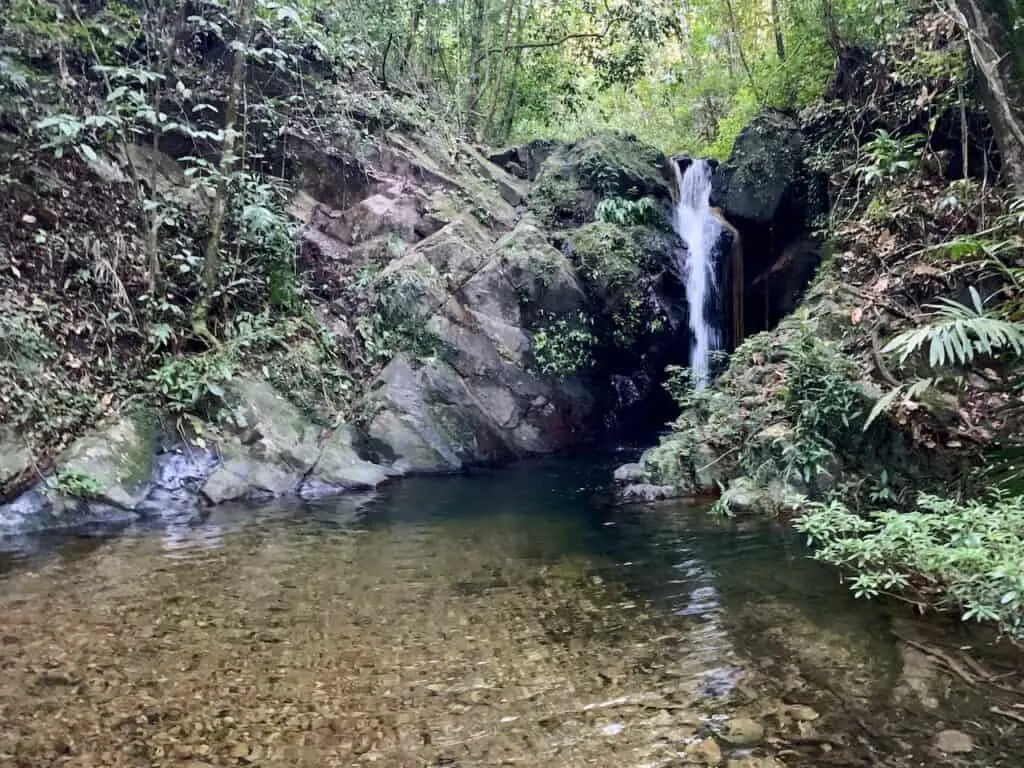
[991,29]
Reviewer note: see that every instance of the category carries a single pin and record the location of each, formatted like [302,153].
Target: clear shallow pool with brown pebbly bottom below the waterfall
[515,617]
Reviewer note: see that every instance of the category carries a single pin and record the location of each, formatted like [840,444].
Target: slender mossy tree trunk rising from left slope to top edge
[211,259]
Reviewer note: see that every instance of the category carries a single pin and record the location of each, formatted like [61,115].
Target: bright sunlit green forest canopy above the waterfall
[678,75]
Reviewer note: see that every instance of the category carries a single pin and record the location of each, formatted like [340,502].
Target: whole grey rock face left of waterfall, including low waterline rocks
[490,314]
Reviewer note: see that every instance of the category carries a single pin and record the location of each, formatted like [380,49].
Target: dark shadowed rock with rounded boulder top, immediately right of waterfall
[769,193]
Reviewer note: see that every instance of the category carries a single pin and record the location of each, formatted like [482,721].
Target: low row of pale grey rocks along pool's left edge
[267,449]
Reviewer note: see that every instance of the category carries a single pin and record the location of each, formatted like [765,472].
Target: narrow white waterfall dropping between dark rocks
[698,228]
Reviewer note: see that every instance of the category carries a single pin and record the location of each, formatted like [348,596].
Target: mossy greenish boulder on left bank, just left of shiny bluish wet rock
[116,462]
